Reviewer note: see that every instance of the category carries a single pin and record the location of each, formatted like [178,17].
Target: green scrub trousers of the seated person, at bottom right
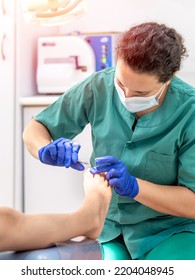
[180,246]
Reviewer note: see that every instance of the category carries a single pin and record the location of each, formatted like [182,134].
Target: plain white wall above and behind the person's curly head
[113,15]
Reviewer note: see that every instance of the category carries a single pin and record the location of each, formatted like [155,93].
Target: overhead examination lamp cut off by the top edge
[52,12]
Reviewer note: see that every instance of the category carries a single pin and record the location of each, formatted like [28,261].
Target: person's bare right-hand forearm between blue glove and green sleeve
[172,200]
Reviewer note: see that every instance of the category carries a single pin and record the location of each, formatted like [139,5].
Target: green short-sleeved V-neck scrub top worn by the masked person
[161,150]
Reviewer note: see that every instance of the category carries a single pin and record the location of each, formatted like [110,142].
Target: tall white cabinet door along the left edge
[7,98]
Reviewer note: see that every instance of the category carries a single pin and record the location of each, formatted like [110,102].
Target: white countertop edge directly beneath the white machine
[38,100]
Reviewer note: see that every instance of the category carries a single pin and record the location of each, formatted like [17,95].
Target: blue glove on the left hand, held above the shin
[61,152]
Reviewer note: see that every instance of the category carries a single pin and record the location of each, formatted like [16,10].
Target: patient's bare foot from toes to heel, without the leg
[97,200]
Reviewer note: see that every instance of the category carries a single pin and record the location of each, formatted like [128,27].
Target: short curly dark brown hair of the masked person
[152,48]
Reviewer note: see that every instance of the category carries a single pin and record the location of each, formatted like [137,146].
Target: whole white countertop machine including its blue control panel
[64,61]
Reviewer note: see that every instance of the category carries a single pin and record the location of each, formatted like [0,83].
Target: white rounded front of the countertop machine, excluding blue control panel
[62,62]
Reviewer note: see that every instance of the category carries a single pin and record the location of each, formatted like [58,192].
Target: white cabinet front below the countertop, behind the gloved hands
[48,188]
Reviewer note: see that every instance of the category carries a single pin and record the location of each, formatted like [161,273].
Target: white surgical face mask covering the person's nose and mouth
[138,103]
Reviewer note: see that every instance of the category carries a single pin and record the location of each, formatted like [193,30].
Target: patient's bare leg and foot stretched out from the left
[20,231]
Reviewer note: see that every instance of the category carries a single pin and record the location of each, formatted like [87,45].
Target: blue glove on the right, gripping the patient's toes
[117,175]
